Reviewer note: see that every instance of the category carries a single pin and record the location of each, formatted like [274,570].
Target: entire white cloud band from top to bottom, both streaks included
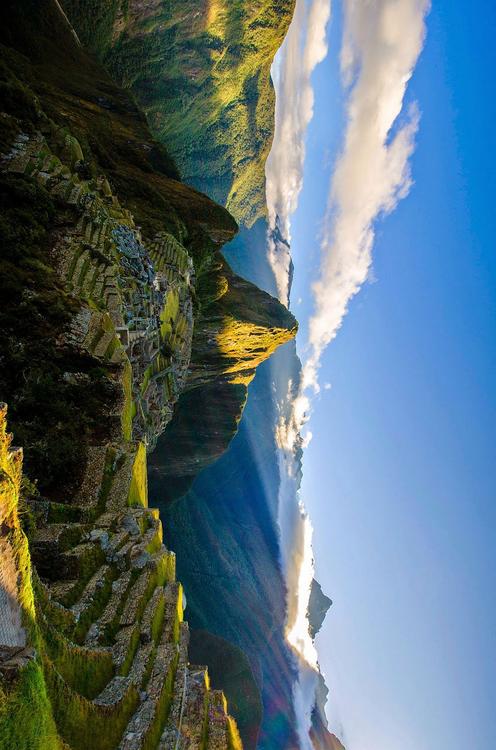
[382,40]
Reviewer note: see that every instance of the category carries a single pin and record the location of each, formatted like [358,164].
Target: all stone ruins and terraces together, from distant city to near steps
[107,611]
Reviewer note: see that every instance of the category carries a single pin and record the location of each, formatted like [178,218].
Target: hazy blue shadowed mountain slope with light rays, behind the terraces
[224,532]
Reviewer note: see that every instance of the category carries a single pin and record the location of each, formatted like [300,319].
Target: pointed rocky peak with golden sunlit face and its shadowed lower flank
[210,407]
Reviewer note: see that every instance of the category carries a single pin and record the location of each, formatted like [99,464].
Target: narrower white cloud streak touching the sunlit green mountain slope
[304,47]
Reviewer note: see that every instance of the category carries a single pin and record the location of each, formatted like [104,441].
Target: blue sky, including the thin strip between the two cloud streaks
[400,477]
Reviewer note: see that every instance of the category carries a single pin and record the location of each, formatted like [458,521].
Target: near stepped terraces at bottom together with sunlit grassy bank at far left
[97,653]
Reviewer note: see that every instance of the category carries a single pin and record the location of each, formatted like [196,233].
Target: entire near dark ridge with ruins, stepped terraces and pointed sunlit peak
[107,262]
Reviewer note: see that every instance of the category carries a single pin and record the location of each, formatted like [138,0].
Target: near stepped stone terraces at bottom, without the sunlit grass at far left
[110,612]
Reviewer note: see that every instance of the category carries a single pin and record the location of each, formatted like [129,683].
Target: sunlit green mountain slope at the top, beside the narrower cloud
[201,73]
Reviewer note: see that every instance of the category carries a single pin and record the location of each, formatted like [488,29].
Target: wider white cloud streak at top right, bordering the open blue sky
[381,43]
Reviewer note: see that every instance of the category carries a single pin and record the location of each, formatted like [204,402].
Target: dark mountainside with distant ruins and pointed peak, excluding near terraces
[98,266]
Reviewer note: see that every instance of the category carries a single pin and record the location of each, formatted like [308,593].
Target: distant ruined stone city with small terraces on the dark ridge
[134,316]
